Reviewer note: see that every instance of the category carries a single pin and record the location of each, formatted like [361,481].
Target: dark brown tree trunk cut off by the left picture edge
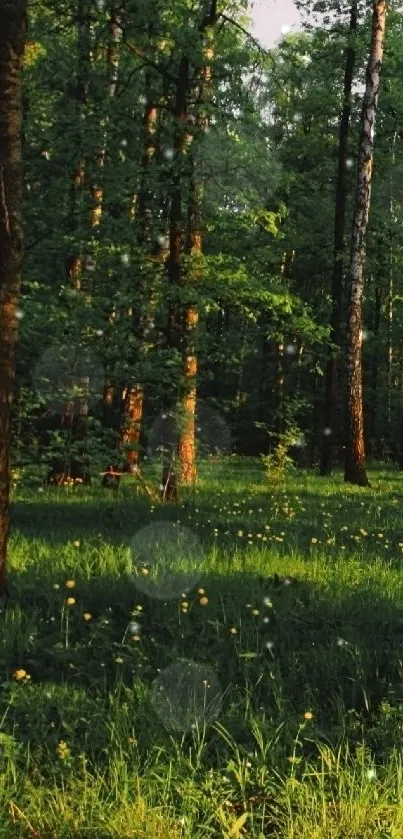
[13,22]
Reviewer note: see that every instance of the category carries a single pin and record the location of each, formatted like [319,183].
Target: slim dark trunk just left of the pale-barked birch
[329,418]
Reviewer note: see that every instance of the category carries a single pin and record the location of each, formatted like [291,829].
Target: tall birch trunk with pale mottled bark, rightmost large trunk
[355,470]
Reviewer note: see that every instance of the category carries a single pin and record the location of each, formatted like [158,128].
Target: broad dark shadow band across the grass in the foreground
[309,647]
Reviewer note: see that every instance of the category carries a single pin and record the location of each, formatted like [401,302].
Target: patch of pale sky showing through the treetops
[269,16]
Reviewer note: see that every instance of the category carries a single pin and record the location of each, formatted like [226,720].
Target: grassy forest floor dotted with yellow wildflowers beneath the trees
[250,684]
